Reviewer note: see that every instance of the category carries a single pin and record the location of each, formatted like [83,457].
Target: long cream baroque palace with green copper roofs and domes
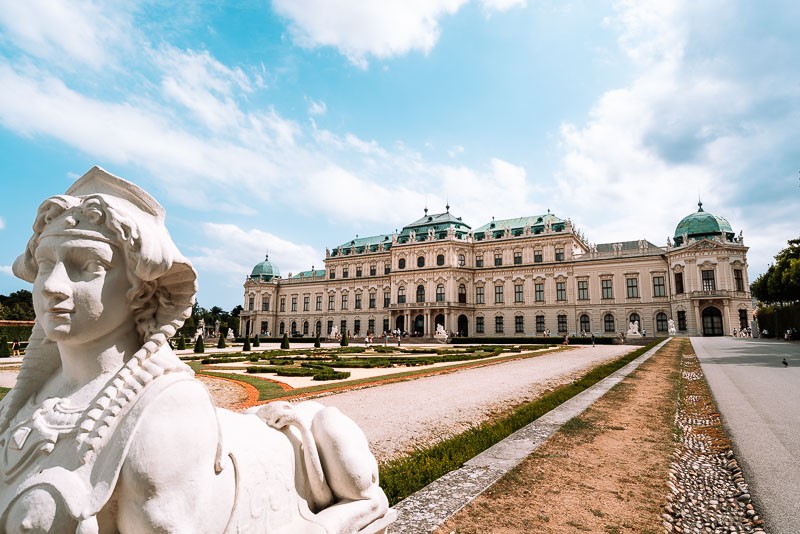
[515,277]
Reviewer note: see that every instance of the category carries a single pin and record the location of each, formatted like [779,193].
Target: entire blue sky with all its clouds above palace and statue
[294,125]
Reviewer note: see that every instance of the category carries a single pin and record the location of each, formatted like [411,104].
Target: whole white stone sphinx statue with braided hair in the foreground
[107,430]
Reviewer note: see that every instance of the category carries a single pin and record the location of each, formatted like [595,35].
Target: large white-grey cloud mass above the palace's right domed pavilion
[687,124]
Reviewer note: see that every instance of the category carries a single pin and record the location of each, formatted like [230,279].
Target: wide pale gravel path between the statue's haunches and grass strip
[397,417]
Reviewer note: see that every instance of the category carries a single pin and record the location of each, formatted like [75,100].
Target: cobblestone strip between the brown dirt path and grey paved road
[708,492]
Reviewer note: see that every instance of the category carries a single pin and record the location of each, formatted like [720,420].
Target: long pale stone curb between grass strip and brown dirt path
[430,507]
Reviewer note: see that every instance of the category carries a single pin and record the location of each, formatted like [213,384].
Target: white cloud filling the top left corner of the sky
[52,29]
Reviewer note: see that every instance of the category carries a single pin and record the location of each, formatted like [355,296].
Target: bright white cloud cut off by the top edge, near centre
[361,29]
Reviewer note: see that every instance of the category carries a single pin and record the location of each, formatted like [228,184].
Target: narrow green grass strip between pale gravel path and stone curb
[401,477]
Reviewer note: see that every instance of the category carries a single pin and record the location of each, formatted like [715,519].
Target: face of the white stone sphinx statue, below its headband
[80,290]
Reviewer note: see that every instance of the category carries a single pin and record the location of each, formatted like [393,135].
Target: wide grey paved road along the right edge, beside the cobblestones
[759,400]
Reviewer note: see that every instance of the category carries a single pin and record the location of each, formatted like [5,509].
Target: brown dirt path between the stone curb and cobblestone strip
[605,471]
